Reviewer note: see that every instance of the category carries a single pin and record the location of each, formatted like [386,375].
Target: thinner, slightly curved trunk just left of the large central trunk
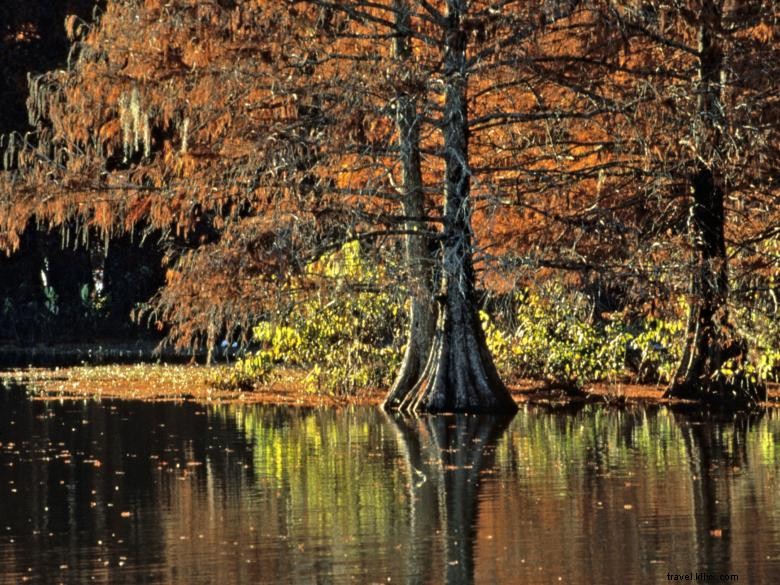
[423,309]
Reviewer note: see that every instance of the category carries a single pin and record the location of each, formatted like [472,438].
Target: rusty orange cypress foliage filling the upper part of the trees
[272,125]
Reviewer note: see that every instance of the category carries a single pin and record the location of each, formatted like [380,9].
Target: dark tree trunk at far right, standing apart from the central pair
[711,338]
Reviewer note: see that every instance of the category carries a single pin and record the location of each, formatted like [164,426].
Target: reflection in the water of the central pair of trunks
[446,456]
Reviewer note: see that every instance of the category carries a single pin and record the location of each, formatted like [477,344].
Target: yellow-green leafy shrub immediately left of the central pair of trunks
[348,340]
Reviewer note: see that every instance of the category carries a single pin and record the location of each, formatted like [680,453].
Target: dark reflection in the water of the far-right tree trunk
[715,451]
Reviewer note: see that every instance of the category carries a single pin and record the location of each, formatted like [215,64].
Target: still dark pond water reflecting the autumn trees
[159,493]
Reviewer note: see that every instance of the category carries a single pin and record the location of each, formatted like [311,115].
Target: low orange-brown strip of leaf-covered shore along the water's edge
[189,383]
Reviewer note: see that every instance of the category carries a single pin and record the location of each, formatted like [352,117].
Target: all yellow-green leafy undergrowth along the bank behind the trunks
[551,333]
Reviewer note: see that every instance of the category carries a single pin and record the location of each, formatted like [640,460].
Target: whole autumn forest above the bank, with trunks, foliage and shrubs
[438,197]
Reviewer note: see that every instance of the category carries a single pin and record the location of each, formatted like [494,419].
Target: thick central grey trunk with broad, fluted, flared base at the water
[460,375]
